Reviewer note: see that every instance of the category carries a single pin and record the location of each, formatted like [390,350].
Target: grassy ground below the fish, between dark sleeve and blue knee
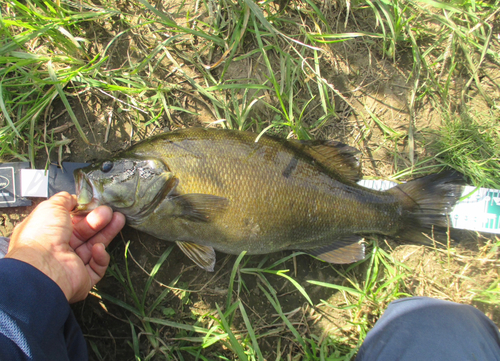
[360,293]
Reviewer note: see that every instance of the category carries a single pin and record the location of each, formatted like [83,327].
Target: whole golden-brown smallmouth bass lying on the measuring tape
[209,189]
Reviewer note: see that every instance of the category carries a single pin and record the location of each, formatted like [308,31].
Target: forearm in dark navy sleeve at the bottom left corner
[36,321]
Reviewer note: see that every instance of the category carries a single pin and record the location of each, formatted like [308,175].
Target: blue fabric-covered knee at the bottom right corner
[422,328]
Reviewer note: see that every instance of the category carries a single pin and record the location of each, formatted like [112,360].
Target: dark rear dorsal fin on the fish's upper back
[336,157]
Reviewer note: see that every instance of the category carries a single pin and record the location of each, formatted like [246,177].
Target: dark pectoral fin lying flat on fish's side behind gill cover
[199,207]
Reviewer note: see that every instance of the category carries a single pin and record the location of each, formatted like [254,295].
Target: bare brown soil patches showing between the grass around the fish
[364,79]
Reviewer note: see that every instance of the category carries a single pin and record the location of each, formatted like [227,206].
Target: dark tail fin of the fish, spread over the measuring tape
[427,202]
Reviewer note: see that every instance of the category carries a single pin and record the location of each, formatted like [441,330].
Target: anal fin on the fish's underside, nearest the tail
[347,250]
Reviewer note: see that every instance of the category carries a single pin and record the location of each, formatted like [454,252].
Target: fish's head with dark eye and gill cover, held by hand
[132,186]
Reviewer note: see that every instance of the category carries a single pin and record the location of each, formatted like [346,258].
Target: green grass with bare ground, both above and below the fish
[412,84]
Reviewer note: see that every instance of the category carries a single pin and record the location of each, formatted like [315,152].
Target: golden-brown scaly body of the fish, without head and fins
[265,206]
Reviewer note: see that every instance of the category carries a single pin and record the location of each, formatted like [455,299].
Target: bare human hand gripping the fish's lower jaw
[69,250]
